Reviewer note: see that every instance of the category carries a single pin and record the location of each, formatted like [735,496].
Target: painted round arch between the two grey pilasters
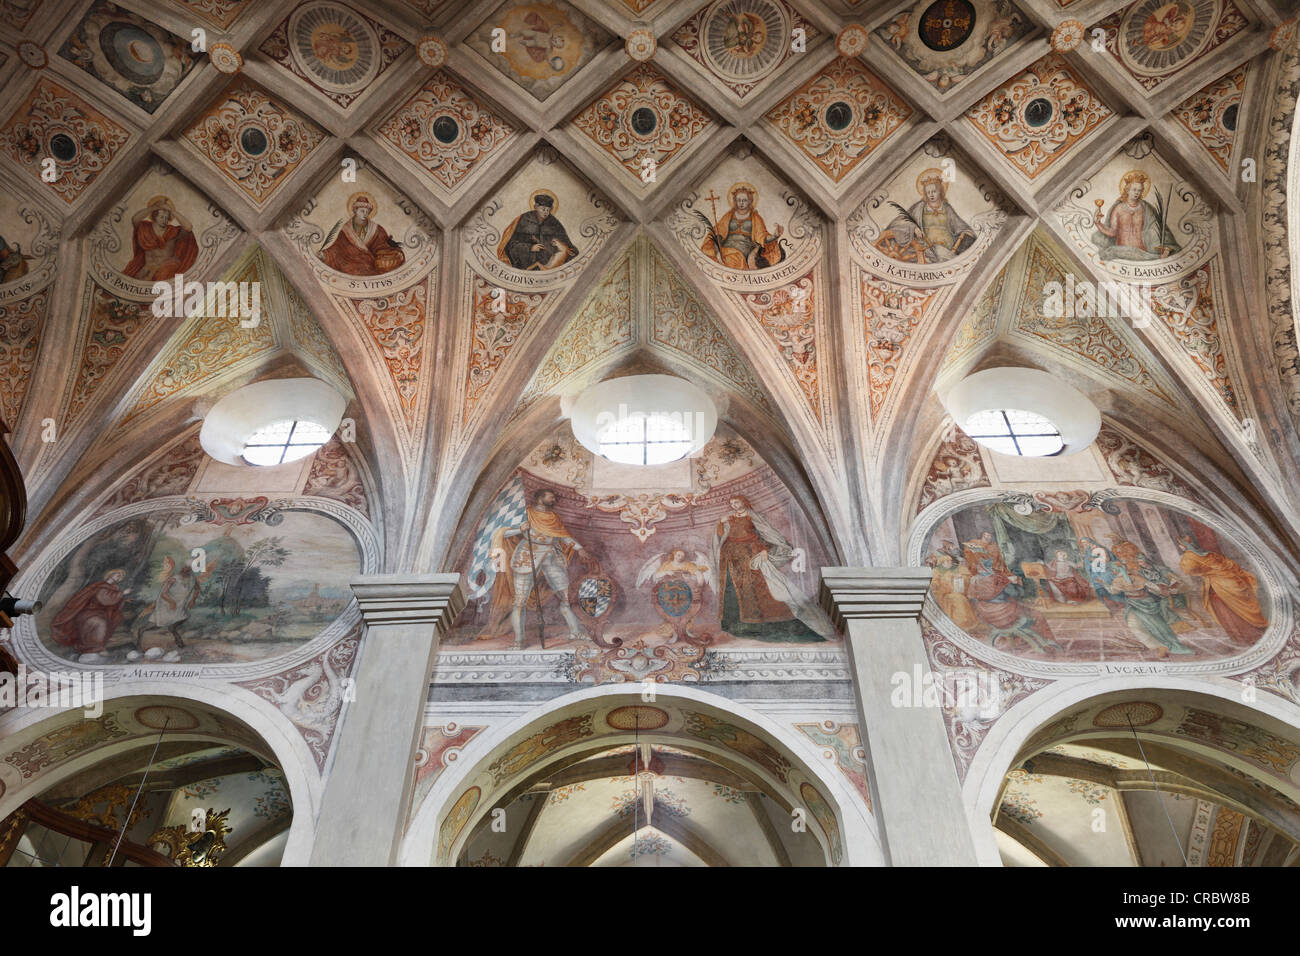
[848,837]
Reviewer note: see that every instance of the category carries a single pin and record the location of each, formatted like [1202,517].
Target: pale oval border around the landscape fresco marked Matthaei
[36,655]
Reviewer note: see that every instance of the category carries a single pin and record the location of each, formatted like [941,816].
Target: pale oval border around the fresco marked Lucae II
[1280,607]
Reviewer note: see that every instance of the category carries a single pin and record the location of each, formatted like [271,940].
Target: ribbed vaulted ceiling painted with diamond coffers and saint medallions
[638,119]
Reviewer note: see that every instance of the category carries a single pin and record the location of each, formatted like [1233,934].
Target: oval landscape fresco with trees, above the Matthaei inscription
[137,591]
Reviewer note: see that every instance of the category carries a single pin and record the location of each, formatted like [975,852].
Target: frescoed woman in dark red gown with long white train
[757,599]
